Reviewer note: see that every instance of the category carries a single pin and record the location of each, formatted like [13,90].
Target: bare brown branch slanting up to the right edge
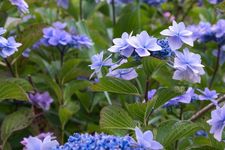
[206,109]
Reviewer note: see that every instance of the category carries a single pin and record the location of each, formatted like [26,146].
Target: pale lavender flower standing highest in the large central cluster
[177,35]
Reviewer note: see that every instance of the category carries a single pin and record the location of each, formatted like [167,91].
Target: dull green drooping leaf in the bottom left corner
[14,122]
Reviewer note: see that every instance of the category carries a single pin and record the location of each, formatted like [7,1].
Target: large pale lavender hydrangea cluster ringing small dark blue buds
[187,65]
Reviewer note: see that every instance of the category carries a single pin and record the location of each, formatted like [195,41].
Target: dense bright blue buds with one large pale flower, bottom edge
[110,142]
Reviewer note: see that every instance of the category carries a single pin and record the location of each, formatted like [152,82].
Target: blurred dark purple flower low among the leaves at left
[42,100]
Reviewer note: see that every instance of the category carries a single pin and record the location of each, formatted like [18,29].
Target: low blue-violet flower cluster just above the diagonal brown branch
[190,96]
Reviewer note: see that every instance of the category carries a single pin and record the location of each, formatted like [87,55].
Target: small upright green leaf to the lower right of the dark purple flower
[67,111]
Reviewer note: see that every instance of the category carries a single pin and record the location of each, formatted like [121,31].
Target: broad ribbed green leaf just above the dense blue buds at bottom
[114,117]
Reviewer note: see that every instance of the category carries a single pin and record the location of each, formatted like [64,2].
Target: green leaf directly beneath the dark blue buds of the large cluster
[151,65]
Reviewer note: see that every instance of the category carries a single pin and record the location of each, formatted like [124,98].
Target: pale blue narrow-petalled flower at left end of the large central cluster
[98,62]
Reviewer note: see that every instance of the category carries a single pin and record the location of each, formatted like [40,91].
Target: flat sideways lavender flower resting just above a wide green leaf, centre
[126,74]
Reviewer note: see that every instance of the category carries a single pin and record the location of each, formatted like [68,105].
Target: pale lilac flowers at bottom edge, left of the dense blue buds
[44,141]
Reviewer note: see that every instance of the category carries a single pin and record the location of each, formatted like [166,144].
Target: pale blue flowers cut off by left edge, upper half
[7,46]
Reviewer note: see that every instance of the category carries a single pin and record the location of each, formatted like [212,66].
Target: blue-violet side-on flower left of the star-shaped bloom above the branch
[185,98]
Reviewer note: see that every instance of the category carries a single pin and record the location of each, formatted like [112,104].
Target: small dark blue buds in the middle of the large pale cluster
[165,52]
